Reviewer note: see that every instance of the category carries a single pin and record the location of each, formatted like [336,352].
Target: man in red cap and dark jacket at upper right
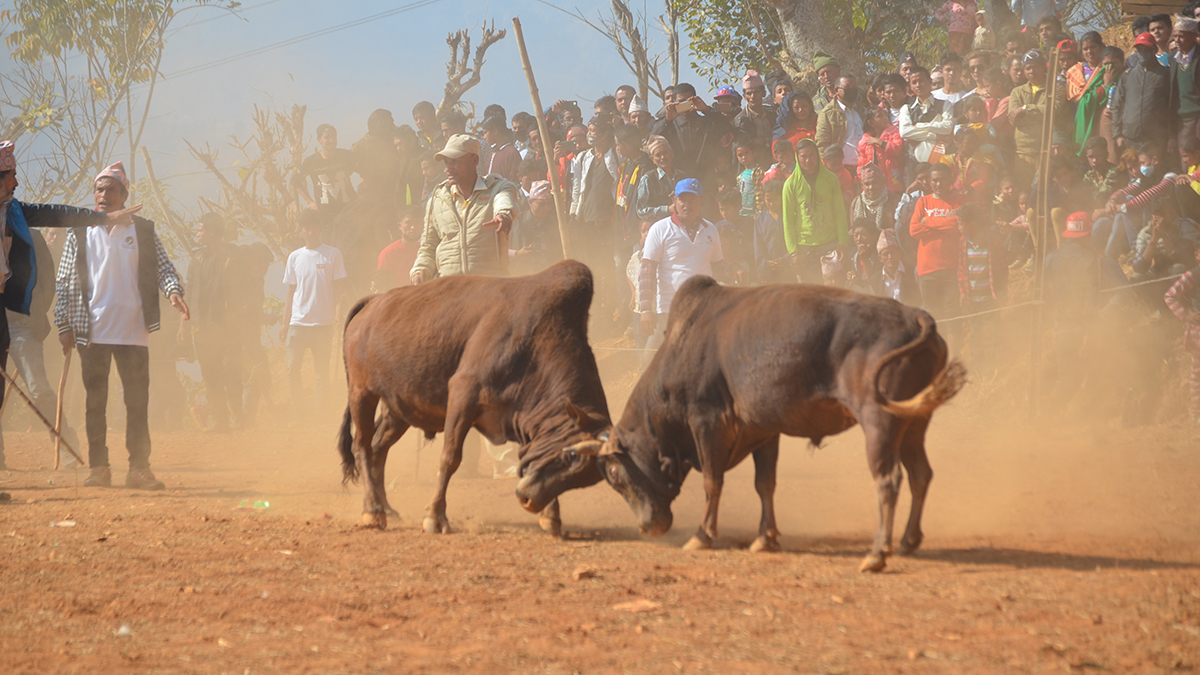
[1141,114]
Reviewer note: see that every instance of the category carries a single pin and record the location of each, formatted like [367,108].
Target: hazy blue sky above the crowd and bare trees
[389,63]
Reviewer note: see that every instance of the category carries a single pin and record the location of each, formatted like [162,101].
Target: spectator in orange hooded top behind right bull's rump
[937,229]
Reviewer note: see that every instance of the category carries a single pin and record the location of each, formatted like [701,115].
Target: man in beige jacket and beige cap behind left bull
[467,219]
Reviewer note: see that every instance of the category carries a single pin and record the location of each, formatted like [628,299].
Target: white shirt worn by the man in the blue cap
[680,258]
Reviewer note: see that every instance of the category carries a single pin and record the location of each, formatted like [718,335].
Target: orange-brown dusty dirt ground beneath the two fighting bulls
[1047,549]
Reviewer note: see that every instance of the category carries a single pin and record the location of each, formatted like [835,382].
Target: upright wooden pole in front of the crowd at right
[1045,229]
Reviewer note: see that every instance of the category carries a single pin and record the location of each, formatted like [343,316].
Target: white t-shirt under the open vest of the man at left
[115,306]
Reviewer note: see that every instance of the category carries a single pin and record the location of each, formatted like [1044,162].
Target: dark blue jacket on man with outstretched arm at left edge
[20,291]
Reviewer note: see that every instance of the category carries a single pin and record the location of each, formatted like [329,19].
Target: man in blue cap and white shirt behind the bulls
[677,248]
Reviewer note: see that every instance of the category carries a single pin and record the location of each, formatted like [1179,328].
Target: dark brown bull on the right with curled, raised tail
[742,367]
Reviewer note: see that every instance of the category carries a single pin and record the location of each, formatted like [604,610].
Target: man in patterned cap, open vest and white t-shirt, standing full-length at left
[109,306]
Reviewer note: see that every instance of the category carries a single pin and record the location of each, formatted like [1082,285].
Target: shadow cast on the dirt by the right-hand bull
[1003,557]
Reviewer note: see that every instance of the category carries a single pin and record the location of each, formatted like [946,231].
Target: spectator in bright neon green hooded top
[814,213]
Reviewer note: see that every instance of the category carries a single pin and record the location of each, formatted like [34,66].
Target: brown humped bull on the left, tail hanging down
[509,357]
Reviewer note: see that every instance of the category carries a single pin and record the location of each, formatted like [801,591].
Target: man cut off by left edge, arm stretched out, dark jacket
[19,258]
